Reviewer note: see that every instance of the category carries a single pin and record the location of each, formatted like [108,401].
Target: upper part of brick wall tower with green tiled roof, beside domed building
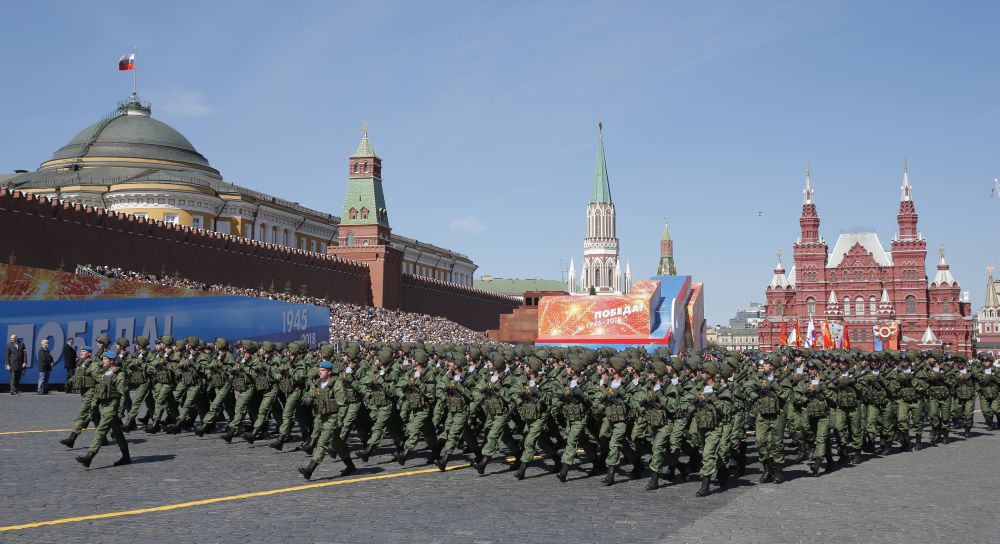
[365,220]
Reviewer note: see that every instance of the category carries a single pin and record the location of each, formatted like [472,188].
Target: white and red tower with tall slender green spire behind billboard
[601,270]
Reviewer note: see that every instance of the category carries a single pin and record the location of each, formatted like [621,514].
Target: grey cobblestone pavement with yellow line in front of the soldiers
[942,494]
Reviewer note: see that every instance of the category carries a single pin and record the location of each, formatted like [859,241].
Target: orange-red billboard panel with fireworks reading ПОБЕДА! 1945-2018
[603,316]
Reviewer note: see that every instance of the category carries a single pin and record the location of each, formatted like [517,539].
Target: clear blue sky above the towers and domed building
[485,114]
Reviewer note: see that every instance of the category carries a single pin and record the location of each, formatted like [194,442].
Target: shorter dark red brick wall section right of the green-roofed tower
[473,308]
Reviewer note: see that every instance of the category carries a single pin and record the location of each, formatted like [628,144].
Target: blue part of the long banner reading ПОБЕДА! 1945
[205,317]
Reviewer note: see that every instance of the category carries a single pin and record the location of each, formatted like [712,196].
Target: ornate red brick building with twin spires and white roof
[861,286]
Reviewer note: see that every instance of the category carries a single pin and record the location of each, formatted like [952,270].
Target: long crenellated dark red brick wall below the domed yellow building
[43,234]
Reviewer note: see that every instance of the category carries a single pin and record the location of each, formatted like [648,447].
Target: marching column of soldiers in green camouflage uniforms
[658,414]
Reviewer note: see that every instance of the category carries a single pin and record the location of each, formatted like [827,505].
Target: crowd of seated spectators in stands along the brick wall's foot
[347,321]
